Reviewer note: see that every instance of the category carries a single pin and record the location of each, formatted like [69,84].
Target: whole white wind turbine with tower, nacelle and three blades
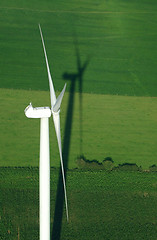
[44,113]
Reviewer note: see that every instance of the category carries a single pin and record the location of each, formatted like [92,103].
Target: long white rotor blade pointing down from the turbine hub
[56,119]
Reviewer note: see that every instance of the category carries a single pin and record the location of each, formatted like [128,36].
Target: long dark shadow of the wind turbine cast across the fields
[73,77]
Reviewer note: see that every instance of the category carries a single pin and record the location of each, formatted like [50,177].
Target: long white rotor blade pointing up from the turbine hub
[52,92]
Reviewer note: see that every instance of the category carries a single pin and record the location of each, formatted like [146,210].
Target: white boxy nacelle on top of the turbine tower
[38,112]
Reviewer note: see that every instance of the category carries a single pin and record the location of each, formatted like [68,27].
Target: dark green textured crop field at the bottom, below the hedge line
[105,205]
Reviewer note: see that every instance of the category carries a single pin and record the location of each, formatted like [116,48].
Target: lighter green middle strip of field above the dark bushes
[120,127]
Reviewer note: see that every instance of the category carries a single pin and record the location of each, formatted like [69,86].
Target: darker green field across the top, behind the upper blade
[118,37]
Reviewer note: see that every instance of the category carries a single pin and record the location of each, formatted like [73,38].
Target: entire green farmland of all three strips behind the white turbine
[106,53]
